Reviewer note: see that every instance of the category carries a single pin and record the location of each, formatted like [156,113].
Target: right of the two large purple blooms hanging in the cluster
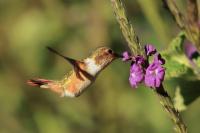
[154,75]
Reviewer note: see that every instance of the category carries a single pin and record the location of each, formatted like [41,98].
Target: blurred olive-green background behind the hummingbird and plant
[76,27]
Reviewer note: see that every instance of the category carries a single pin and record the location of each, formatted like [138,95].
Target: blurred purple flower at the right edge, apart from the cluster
[190,50]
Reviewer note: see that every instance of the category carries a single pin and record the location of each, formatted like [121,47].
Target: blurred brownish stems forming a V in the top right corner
[189,25]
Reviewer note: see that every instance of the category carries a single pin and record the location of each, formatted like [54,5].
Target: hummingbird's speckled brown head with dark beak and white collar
[100,58]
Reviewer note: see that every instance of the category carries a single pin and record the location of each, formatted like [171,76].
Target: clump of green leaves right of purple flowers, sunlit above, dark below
[180,73]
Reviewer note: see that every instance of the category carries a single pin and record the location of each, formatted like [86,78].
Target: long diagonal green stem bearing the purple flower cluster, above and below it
[134,45]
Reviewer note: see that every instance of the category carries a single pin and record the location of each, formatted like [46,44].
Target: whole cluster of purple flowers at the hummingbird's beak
[142,70]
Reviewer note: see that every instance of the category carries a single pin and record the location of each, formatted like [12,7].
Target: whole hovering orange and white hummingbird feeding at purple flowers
[83,74]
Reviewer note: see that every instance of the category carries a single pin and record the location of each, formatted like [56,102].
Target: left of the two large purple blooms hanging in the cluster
[136,75]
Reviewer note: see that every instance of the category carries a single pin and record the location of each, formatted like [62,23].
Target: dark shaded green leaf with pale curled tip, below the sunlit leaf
[189,91]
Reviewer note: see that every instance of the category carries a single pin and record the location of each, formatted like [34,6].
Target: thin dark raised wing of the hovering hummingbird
[73,62]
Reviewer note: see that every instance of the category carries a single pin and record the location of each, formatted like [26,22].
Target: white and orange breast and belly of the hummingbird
[74,85]
